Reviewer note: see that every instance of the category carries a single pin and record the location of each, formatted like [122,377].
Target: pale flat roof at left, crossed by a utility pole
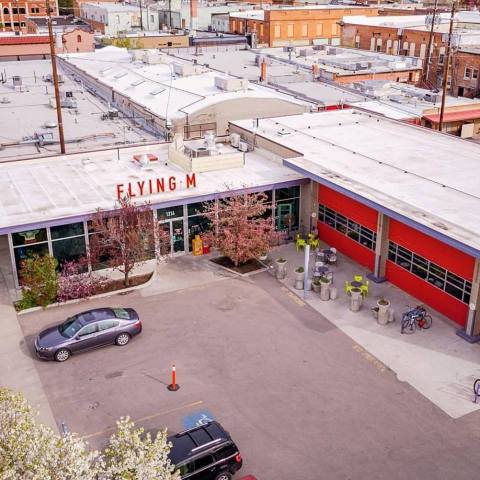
[25,110]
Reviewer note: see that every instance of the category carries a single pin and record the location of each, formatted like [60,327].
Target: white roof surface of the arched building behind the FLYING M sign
[149,85]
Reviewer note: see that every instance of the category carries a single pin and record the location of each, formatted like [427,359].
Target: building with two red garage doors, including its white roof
[384,199]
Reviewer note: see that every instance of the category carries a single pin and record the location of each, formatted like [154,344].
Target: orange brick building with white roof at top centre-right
[276,27]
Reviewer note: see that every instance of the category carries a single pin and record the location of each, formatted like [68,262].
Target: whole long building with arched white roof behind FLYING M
[169,95]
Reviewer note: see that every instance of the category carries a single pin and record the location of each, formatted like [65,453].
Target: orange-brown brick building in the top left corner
[13,15]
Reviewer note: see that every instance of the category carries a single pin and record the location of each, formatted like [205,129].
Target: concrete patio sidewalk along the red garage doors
[436,362]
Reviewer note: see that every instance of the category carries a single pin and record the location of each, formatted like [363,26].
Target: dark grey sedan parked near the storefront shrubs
[87,330]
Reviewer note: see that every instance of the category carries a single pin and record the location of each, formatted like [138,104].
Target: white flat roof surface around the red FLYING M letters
[36,192]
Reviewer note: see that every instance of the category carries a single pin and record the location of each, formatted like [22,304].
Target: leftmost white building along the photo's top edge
[111,18]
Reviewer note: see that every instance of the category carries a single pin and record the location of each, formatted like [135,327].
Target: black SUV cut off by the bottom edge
[205,453]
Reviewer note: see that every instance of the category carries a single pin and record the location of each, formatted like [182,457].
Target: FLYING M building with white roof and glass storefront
[47,202]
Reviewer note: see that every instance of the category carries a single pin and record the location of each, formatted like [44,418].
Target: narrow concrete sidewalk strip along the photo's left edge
[17,368]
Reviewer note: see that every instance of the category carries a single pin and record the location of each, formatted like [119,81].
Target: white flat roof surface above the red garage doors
[429,178]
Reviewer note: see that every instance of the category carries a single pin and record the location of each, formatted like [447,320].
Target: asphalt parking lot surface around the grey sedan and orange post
[299,397]
